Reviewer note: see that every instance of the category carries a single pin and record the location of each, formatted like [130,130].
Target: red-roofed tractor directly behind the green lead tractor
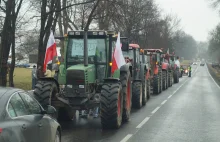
[140,85]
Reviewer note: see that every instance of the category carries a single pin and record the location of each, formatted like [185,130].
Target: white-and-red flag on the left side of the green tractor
[51,51]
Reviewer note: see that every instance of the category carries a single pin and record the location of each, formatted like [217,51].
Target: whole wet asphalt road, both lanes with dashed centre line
[188,111]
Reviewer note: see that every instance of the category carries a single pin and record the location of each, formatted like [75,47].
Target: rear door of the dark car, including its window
[24,119]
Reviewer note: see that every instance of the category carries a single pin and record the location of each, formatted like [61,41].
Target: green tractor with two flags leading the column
[85,80]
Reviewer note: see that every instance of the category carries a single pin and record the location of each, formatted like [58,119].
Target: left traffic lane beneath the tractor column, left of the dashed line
[90,130]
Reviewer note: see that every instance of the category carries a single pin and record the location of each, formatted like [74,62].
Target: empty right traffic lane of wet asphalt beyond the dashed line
[192,114]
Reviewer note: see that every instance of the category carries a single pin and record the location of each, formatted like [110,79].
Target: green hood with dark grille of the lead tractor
[80,74]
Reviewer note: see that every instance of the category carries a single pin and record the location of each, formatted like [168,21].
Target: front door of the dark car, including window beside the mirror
[42,120]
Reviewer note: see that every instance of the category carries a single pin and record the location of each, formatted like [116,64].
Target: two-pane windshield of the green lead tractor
[96,48]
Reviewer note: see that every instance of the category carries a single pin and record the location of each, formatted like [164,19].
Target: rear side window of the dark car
[18,105]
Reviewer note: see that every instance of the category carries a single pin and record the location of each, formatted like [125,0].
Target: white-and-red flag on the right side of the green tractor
[118,58]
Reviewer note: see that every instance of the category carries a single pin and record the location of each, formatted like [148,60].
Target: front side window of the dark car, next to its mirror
[32,104]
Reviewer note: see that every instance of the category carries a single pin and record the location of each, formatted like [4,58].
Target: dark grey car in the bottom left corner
[22,118]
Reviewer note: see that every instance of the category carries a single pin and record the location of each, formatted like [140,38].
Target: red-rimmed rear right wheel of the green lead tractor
[127,95]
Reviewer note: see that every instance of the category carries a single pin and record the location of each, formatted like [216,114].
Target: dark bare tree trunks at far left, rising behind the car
[11,9]
